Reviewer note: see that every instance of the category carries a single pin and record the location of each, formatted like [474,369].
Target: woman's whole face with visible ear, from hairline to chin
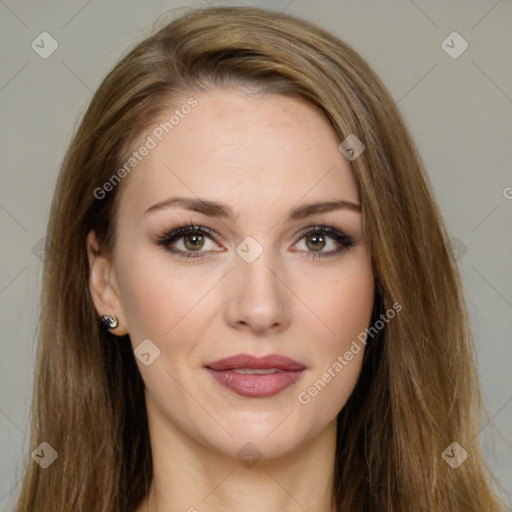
[259,282]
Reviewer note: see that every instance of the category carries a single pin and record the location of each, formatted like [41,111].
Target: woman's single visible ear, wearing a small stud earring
[103,284]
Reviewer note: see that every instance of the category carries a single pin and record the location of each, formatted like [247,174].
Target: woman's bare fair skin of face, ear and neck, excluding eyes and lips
[262,158]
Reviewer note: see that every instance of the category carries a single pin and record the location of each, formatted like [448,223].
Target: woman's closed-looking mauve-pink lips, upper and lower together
[253,385]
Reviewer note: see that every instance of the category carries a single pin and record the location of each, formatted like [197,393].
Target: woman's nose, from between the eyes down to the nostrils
[259,297]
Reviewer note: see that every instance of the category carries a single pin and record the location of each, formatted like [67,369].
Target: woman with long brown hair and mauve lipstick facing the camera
[249,299]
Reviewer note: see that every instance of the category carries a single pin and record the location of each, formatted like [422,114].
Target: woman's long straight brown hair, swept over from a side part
[418,390]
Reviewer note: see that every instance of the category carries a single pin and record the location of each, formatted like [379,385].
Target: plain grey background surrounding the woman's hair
[459,111]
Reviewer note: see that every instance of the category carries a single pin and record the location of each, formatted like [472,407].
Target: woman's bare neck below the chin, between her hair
[193,477]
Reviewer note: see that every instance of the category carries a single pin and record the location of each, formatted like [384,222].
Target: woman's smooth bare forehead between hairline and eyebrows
[250,152]
